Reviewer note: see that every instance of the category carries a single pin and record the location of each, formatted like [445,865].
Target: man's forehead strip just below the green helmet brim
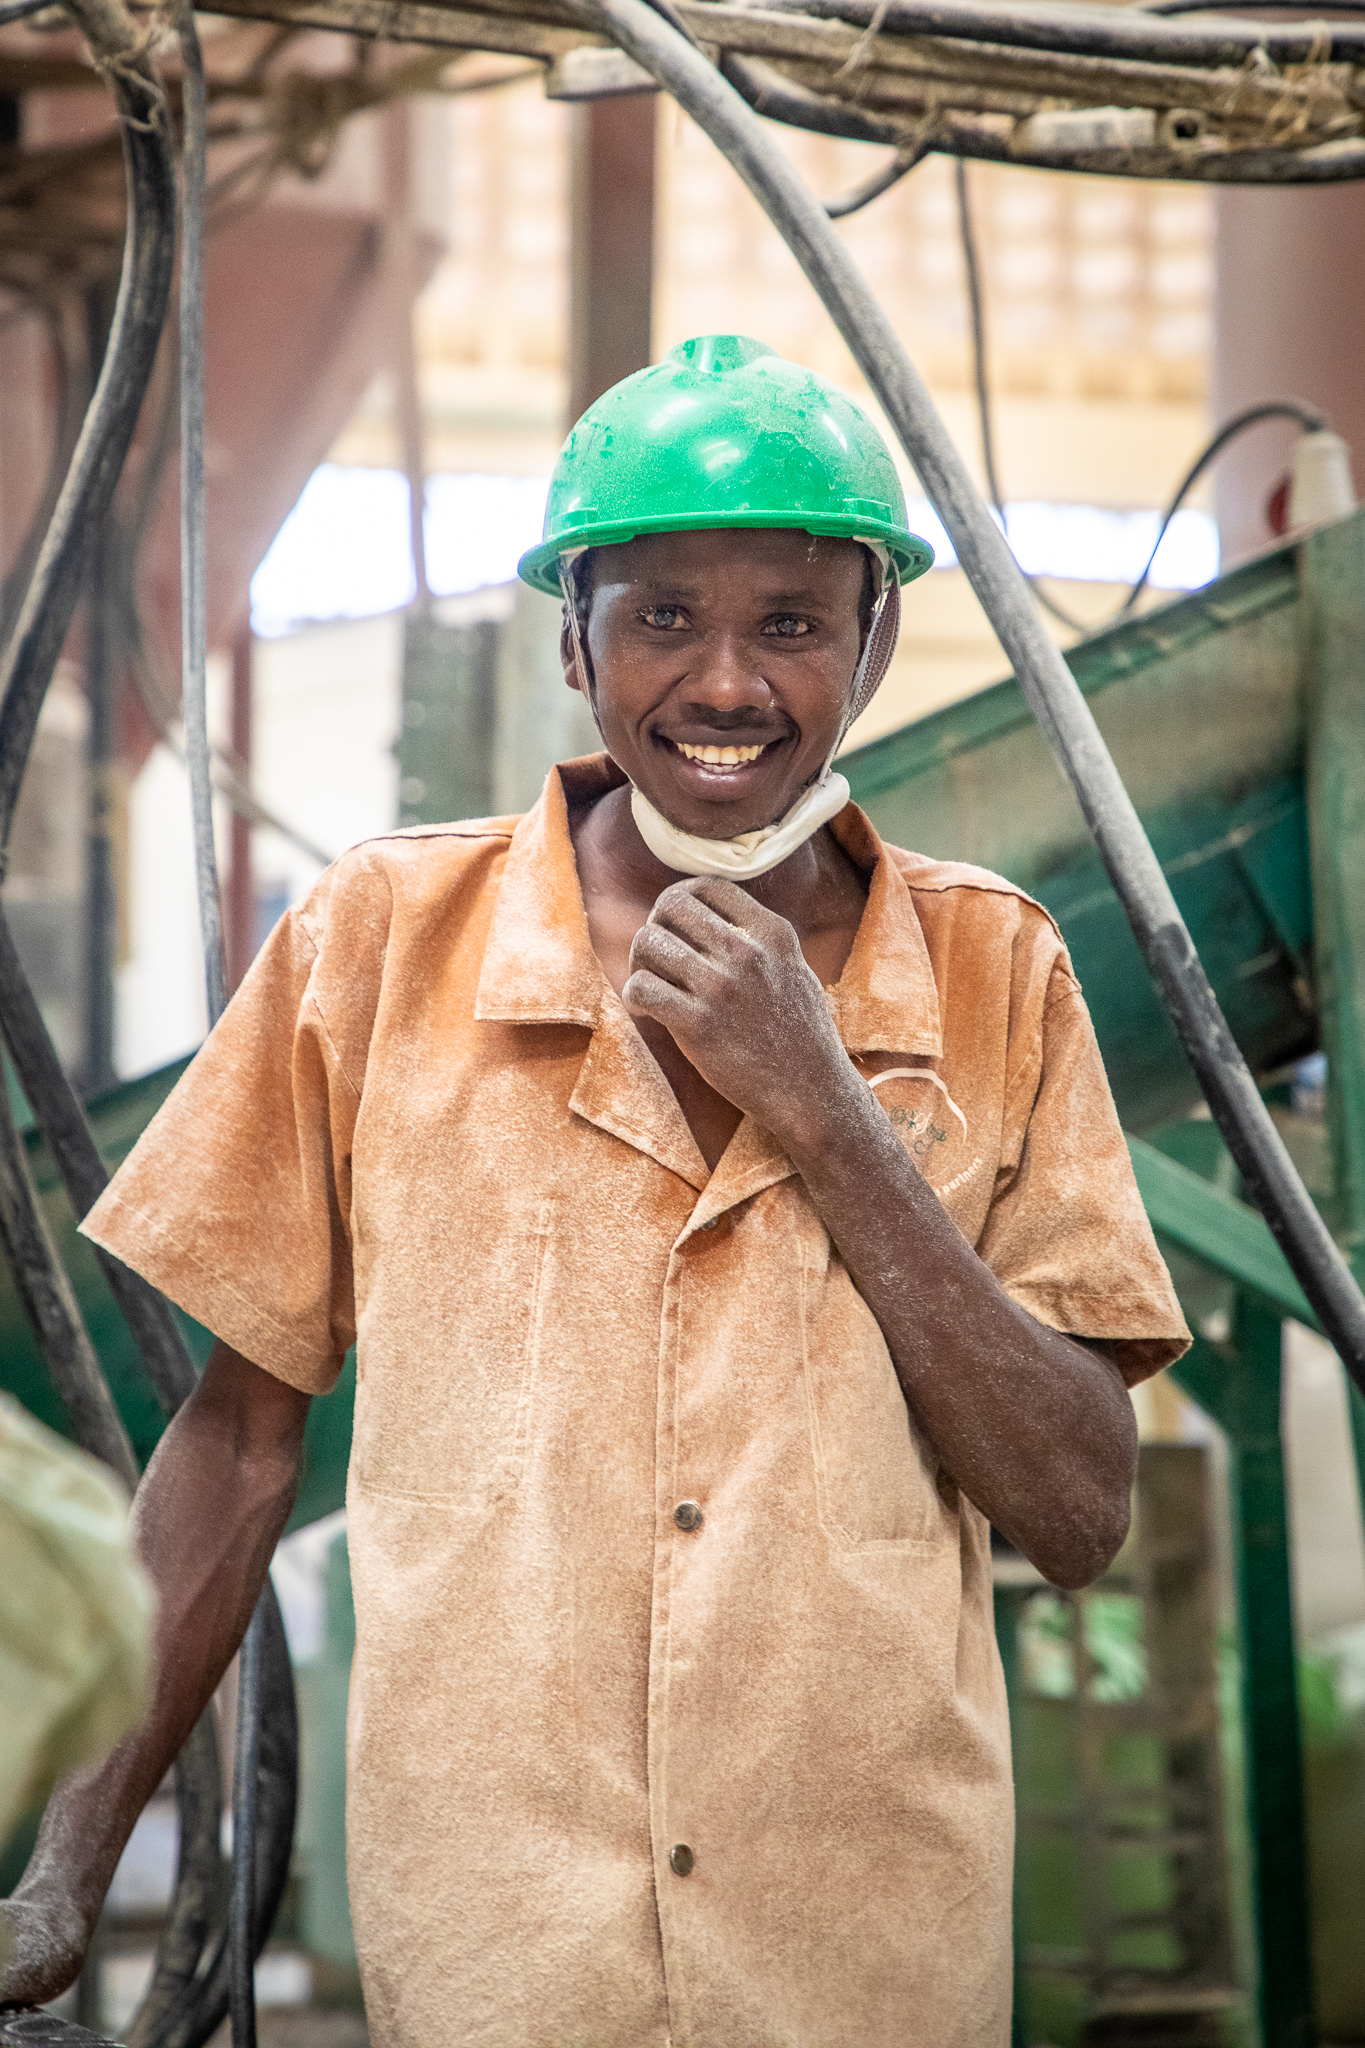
[717,560]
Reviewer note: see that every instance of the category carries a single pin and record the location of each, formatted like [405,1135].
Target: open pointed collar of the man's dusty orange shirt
[539,966]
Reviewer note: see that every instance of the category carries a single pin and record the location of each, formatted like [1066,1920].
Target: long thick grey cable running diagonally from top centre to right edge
[1045,679]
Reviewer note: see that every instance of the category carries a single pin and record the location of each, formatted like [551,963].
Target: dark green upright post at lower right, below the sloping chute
[1241,1388]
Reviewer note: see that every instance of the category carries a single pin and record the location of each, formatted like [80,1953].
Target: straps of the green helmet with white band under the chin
[754,853]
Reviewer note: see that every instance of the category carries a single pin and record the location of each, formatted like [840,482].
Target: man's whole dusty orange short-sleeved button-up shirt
[429,1123]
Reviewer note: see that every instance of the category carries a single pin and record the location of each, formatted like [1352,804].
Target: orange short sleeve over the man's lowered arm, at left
[236,1199]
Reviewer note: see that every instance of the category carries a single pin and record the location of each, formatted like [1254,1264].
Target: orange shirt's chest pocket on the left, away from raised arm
[449,1418]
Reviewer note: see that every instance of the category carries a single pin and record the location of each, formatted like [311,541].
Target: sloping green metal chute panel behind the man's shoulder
[1202,710]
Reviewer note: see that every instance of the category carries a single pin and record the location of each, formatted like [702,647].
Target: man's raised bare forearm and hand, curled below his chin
[1037,1428]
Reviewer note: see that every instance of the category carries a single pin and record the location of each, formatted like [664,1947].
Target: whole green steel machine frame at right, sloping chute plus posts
[1239,722]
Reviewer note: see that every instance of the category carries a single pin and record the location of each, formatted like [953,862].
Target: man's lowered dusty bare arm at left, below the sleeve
[206,1519]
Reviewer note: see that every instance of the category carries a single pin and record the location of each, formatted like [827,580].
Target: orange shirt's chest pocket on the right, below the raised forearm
[875,1478]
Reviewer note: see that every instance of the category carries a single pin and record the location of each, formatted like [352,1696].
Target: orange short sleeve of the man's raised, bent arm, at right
[1067,1234]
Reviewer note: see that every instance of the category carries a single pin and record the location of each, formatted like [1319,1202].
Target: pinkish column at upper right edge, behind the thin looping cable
[1288,321]
